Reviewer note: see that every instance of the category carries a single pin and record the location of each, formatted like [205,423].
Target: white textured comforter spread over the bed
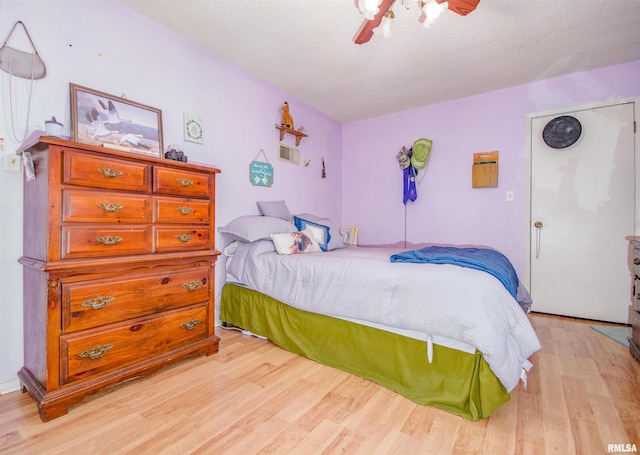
[362,283]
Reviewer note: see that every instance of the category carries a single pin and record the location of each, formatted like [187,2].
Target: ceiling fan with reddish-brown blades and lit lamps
[375,10]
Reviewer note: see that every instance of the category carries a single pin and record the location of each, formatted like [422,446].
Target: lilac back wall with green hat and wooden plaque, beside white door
[448,210]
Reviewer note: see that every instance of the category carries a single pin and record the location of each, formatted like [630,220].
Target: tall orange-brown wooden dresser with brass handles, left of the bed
[118,265]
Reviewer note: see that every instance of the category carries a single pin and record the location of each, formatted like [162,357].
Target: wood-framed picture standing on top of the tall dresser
[98,118]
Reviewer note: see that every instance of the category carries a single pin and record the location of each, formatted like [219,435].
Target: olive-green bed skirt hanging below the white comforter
[456,381]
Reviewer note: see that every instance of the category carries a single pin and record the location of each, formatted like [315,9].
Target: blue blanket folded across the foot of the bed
[489,261]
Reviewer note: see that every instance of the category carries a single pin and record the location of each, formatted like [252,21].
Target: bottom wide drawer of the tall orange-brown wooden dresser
[89,353]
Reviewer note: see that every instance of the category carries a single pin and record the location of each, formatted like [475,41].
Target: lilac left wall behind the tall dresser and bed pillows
[159,68]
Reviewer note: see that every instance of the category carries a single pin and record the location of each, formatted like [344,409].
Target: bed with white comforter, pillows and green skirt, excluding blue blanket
[440,334]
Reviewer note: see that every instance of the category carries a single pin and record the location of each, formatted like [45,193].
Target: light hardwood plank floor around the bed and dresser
[583,393]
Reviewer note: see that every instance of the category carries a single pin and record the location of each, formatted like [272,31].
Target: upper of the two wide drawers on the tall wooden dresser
[94,303]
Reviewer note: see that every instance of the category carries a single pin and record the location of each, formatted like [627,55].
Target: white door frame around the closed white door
[528,149]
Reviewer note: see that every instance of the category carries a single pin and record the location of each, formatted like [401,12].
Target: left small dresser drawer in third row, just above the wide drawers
[96,241]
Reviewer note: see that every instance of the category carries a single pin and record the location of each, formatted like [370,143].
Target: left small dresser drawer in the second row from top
[103,206]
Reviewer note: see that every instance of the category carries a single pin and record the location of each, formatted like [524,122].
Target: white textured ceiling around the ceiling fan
[306,48]
